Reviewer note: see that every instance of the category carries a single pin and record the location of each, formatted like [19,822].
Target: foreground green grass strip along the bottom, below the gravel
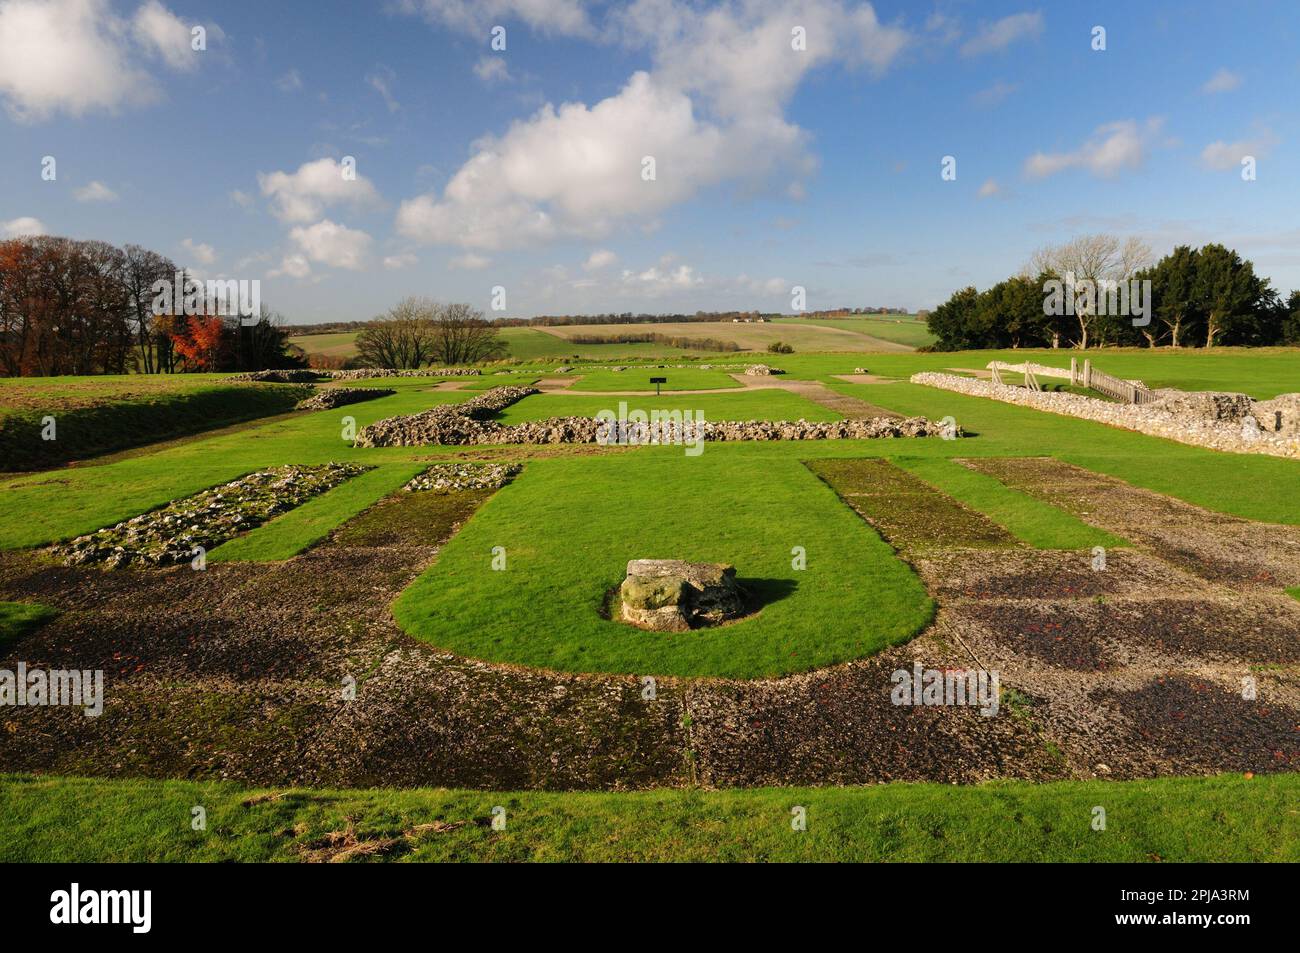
[1225,818]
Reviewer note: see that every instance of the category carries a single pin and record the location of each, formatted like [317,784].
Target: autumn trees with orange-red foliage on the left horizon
[88,307]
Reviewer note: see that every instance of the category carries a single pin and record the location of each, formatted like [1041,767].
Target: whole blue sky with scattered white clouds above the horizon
[523,168]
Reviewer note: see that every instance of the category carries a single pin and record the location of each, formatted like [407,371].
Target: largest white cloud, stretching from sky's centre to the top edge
[710,111]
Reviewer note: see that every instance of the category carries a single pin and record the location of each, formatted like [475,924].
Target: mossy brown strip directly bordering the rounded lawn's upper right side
[909,513]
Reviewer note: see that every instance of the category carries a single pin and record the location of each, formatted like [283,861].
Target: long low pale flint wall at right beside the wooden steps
[1156,419]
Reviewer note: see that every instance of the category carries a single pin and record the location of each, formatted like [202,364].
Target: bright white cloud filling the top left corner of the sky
[66,55]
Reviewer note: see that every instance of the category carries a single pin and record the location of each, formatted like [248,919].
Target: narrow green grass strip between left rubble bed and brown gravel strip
[293,532]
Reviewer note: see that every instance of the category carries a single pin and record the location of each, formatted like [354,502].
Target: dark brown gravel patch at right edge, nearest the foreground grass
[1197,726]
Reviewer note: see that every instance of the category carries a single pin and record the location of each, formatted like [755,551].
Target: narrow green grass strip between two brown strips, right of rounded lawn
[1037,523]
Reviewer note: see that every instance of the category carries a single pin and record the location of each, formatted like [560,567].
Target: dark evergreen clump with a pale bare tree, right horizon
[1068,296]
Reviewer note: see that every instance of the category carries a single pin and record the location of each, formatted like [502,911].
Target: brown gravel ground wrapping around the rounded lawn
[240,672]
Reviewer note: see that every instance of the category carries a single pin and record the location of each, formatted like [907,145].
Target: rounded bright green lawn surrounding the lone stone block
[569,529]
